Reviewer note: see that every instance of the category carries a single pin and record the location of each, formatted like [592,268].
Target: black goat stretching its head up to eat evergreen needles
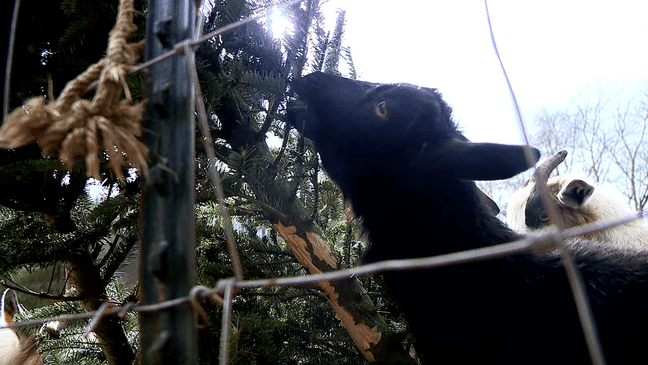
[398,156]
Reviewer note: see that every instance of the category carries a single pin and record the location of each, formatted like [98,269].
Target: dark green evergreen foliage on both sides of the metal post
[48,218]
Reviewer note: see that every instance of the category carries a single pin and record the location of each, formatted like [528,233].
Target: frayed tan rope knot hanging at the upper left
[110,122]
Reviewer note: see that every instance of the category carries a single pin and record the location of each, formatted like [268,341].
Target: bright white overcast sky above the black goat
[550,49]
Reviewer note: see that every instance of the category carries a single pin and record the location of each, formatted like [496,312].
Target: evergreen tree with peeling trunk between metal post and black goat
[281,187]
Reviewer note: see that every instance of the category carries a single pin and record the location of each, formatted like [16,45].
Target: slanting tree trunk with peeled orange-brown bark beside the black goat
[354,309]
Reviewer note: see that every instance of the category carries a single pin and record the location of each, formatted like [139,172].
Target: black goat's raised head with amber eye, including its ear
[401,127]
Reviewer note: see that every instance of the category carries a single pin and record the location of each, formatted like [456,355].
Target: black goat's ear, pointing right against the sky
[483,161]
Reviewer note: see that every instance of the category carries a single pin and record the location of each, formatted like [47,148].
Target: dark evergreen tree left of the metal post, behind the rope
[50,220]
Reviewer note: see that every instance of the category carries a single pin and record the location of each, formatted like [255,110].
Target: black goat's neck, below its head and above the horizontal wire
[454,219]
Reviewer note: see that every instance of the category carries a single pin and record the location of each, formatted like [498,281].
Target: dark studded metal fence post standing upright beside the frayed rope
[167,263]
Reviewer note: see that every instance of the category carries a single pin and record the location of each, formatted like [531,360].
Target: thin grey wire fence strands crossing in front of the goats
[223,292]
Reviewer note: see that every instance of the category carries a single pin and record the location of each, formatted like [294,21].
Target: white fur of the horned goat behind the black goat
[598,208]
